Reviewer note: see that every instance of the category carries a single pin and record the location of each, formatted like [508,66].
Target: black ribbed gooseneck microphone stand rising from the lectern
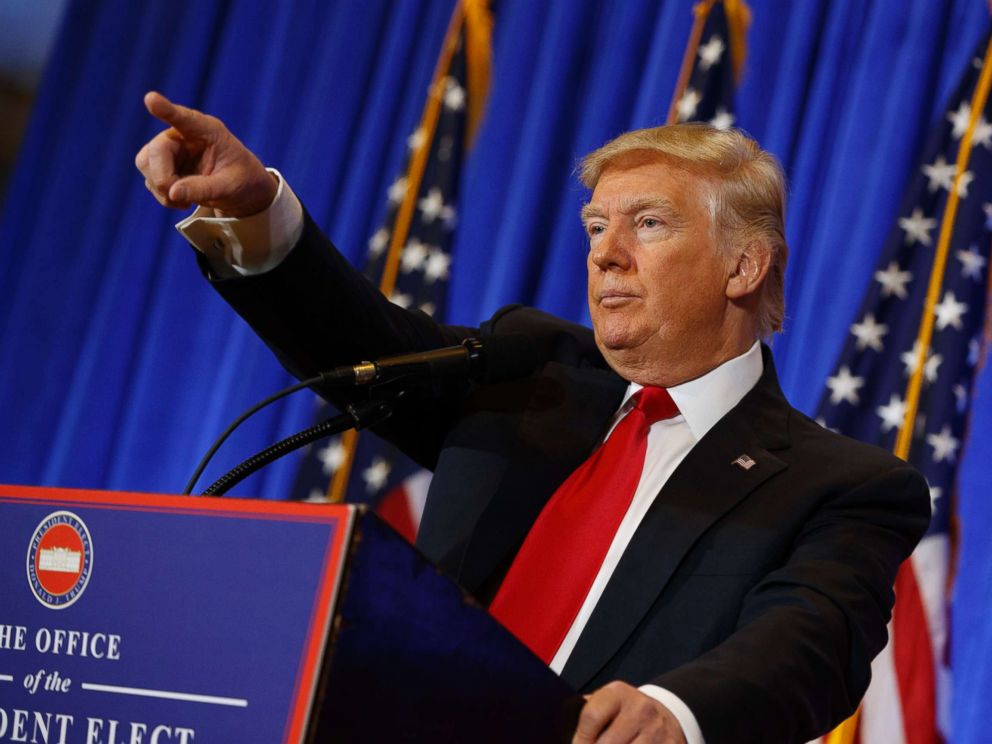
[359,415]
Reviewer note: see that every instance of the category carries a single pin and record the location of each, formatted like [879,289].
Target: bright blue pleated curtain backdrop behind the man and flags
[118,365]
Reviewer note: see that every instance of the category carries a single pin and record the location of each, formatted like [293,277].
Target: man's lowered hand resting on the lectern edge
[619,713]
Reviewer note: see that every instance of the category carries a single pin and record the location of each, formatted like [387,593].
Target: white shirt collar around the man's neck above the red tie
[707,399]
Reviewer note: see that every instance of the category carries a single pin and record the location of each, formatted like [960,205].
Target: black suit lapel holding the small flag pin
[704,487]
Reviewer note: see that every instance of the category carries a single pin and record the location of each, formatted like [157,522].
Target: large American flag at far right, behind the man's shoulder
[931,281]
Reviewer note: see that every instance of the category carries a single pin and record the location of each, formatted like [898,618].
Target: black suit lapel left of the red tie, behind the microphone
[567,416]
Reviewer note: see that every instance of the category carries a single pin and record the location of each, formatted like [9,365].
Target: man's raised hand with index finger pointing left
[198,161]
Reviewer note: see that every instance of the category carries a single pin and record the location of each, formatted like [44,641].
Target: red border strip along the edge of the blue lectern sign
[318,626]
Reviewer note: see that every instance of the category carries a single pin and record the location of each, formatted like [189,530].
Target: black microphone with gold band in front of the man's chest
[498,358]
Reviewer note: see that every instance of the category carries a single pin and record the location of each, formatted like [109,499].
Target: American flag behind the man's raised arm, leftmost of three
[415,276]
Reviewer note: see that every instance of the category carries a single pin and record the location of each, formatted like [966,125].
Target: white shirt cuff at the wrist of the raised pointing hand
[247,245]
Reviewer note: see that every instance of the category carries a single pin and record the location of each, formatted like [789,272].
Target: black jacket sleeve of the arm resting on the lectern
[799,660]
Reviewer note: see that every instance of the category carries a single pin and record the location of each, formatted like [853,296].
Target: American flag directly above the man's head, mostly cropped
[712,66]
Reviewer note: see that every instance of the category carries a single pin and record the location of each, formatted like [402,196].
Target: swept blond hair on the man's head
[747,198]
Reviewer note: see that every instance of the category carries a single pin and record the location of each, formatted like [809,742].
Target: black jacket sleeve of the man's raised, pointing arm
[316,312]
